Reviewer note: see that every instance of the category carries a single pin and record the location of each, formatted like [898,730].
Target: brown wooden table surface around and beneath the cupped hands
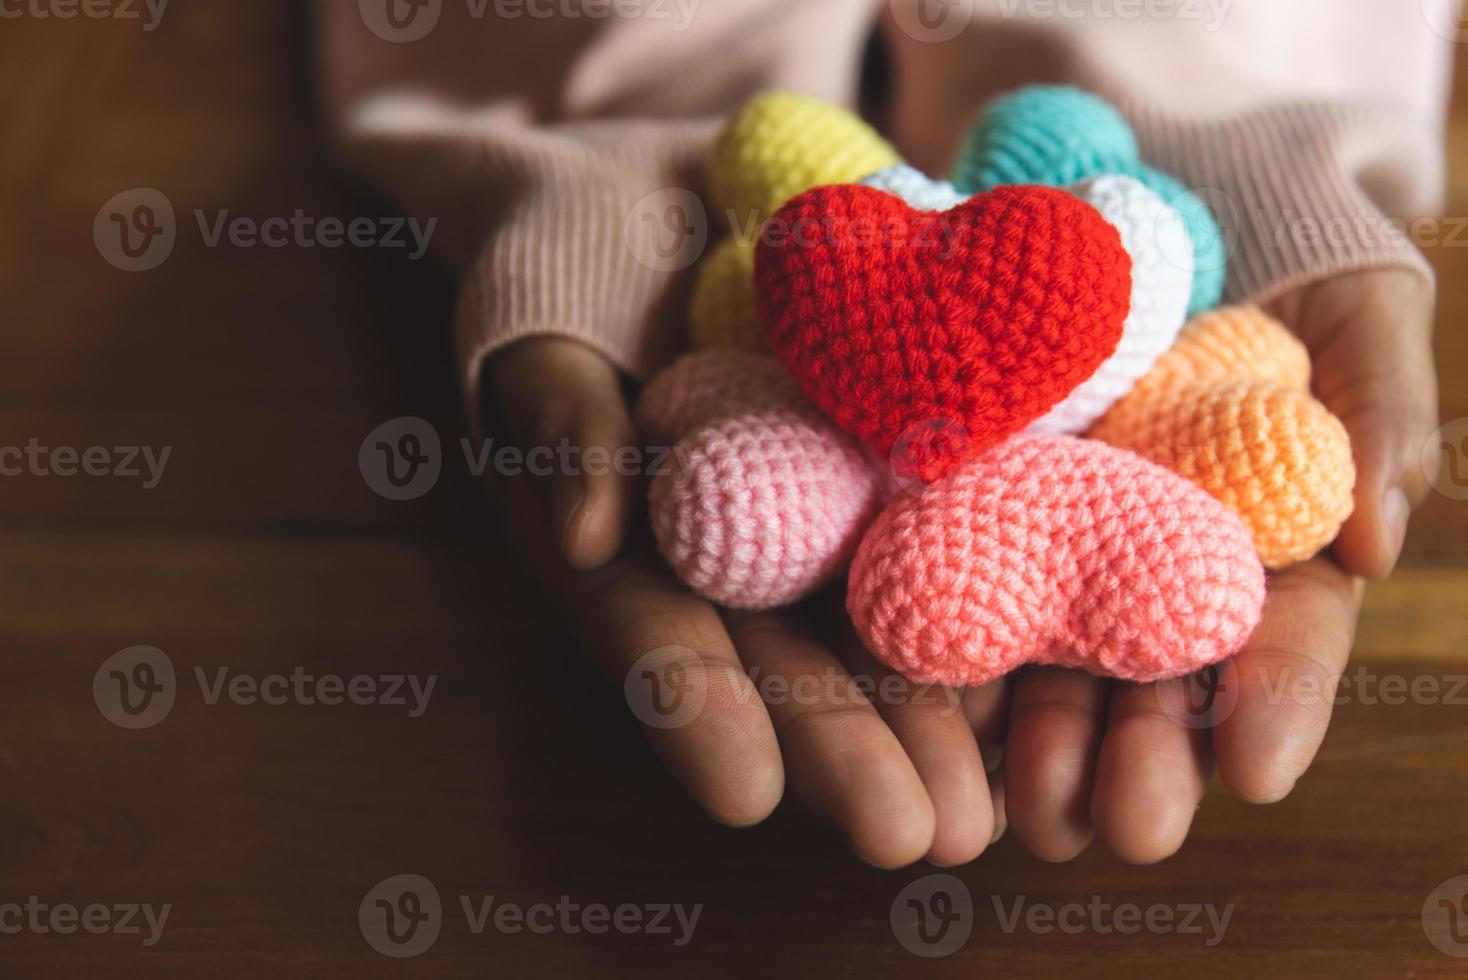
[262,551]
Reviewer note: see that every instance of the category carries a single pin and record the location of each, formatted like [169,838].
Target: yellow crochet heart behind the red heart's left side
[780,145]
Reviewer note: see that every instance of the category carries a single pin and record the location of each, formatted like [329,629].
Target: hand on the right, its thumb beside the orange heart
[1122,762]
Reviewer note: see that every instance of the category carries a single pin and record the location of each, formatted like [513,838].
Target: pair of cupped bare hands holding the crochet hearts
[902,775]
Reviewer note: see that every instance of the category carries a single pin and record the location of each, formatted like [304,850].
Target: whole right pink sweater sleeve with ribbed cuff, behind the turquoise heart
[1313,128]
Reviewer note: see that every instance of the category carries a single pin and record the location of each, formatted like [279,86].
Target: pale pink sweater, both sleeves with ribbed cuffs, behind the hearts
[553,137]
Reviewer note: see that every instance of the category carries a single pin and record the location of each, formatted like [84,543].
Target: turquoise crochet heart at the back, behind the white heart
[1058,136]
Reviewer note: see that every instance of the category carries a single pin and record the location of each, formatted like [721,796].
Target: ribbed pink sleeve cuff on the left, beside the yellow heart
[594,249]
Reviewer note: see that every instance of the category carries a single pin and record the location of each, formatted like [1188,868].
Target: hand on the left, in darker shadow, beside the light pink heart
[780,698]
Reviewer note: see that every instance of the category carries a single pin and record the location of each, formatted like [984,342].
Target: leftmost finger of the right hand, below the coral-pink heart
[1050,761]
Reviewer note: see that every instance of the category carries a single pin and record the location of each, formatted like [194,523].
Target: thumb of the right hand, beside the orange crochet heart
[1370,338]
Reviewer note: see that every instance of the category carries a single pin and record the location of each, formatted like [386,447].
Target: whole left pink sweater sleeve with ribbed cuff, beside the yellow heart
[537,130]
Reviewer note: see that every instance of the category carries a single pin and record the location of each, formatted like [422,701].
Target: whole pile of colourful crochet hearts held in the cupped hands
[937,351]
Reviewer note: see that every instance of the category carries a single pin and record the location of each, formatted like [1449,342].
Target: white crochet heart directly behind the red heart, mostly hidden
[1156,237]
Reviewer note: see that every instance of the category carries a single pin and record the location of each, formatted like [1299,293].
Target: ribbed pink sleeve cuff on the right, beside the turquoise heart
[1296,190]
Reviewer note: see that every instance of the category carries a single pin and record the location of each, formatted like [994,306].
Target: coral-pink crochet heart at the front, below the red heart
[1061,551]
